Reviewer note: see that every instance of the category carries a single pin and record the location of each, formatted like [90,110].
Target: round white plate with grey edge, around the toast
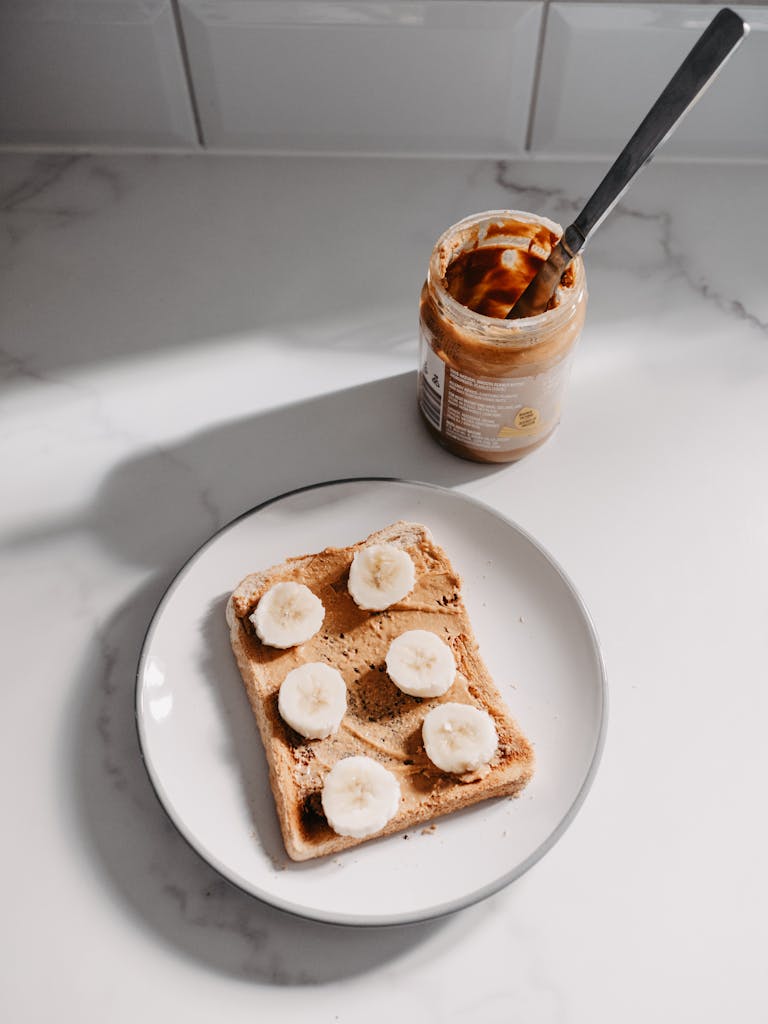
[205,757]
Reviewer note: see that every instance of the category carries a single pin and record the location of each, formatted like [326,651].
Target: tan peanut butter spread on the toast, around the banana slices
[381,721]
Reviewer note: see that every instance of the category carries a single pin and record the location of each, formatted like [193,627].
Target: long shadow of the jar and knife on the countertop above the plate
[156,508]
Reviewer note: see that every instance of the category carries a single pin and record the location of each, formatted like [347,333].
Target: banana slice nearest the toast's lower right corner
[459,738]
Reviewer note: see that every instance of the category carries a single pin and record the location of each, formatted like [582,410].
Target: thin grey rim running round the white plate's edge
[449,907]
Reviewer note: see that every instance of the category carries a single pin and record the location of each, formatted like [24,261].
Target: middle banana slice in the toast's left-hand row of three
[314,700]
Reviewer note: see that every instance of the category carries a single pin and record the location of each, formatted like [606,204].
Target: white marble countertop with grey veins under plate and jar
[185,337]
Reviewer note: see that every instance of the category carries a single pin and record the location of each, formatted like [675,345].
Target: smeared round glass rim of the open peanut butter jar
[525,332]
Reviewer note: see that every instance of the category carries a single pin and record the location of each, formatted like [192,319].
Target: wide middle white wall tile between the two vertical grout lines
[397,77]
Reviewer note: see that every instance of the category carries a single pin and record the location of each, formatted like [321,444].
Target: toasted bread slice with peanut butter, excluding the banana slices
[381,721]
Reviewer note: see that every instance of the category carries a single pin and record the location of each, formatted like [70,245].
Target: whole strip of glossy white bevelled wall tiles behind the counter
[369,76]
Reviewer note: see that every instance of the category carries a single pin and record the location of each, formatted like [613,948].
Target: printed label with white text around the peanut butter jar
[490,414]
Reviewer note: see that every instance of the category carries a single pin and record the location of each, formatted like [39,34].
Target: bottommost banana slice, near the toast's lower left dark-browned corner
[360,796]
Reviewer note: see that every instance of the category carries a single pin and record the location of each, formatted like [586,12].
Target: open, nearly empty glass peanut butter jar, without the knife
[491,390]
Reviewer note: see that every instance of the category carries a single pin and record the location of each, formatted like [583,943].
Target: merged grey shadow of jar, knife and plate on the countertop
[153,511]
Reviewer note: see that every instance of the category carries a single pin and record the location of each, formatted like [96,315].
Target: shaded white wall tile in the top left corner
[86,72]
